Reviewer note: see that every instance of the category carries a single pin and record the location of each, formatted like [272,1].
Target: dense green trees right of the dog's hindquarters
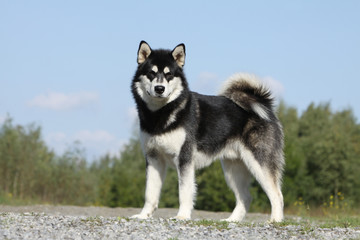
[329,152]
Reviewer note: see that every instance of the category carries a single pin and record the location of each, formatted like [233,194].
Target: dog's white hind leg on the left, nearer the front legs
[238,179]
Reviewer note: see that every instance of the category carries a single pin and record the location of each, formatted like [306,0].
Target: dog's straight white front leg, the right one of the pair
[187,191]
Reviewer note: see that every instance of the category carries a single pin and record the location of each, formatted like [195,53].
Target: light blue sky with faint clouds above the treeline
[67,65]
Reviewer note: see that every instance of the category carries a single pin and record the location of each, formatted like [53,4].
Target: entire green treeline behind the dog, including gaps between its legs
[322,150]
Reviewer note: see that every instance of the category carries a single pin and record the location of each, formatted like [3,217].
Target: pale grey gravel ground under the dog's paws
[68,222]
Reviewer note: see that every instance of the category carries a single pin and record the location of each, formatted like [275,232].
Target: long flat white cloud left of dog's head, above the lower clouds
[61,101]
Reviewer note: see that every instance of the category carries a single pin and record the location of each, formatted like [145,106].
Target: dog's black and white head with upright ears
[159,78]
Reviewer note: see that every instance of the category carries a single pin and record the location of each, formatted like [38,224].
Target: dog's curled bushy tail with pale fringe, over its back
[249,93]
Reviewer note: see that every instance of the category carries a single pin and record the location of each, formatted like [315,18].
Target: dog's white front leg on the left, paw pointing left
[155,174]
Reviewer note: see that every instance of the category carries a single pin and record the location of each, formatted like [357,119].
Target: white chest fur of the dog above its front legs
[166,146]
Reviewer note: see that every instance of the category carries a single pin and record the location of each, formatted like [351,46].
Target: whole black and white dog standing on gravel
[189,131]
